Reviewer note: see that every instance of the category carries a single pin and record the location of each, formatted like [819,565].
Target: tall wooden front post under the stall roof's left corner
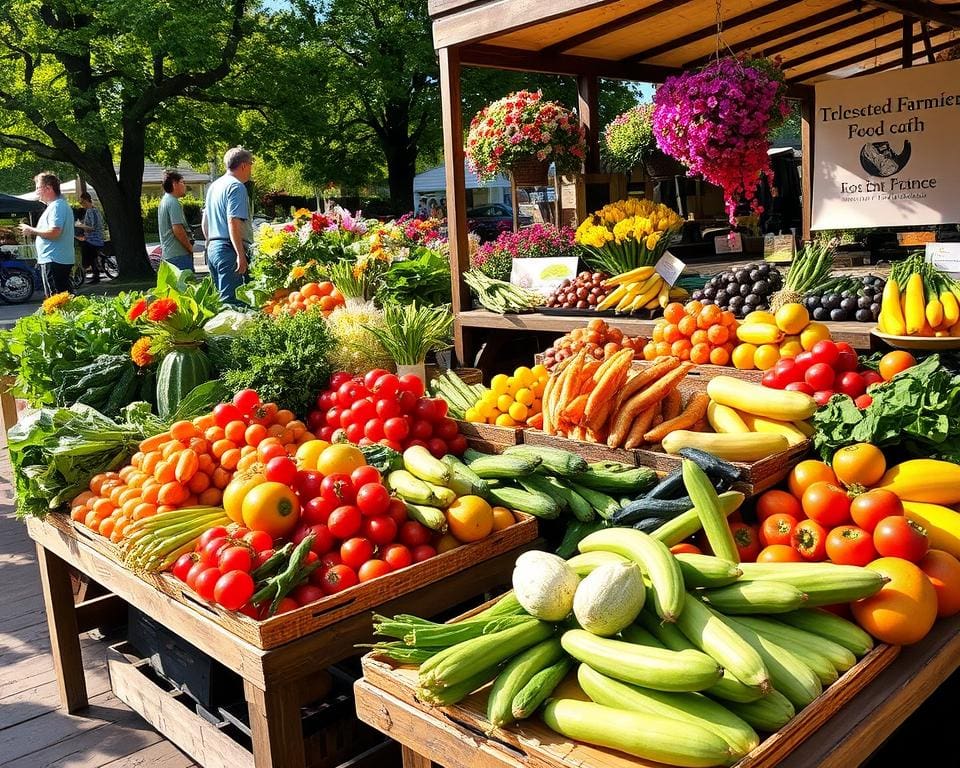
[456,192]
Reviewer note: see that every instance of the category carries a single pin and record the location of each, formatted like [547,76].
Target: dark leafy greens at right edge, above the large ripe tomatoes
[918,411]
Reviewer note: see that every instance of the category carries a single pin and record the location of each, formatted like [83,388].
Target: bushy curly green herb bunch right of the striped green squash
[284,358]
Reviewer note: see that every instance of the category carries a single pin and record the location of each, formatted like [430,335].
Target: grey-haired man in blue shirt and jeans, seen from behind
[226,224]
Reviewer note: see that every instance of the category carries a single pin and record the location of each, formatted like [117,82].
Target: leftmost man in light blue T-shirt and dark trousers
[54,235]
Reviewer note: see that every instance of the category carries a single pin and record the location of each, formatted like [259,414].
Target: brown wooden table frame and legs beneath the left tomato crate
[277,682]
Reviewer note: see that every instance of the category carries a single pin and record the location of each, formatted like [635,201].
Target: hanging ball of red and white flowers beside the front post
[522,126]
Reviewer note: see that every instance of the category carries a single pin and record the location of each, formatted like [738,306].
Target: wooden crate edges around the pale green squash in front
[531,742]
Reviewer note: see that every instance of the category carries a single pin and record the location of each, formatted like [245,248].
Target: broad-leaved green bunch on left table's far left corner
[55,452]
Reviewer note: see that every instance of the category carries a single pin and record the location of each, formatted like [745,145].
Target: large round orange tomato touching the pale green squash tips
[904,609]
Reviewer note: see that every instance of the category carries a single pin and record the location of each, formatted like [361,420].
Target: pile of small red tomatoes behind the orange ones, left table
[384,408]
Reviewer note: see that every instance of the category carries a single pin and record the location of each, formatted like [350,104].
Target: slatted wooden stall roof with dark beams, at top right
[647,40]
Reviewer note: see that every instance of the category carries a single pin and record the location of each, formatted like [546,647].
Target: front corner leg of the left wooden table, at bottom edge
[276,727]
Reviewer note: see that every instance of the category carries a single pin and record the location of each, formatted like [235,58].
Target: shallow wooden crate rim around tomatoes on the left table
[307,619]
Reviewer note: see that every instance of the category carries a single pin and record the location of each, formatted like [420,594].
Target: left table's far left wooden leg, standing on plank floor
[64,634]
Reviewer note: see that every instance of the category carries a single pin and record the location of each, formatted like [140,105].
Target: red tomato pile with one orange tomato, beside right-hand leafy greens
[830,368]
